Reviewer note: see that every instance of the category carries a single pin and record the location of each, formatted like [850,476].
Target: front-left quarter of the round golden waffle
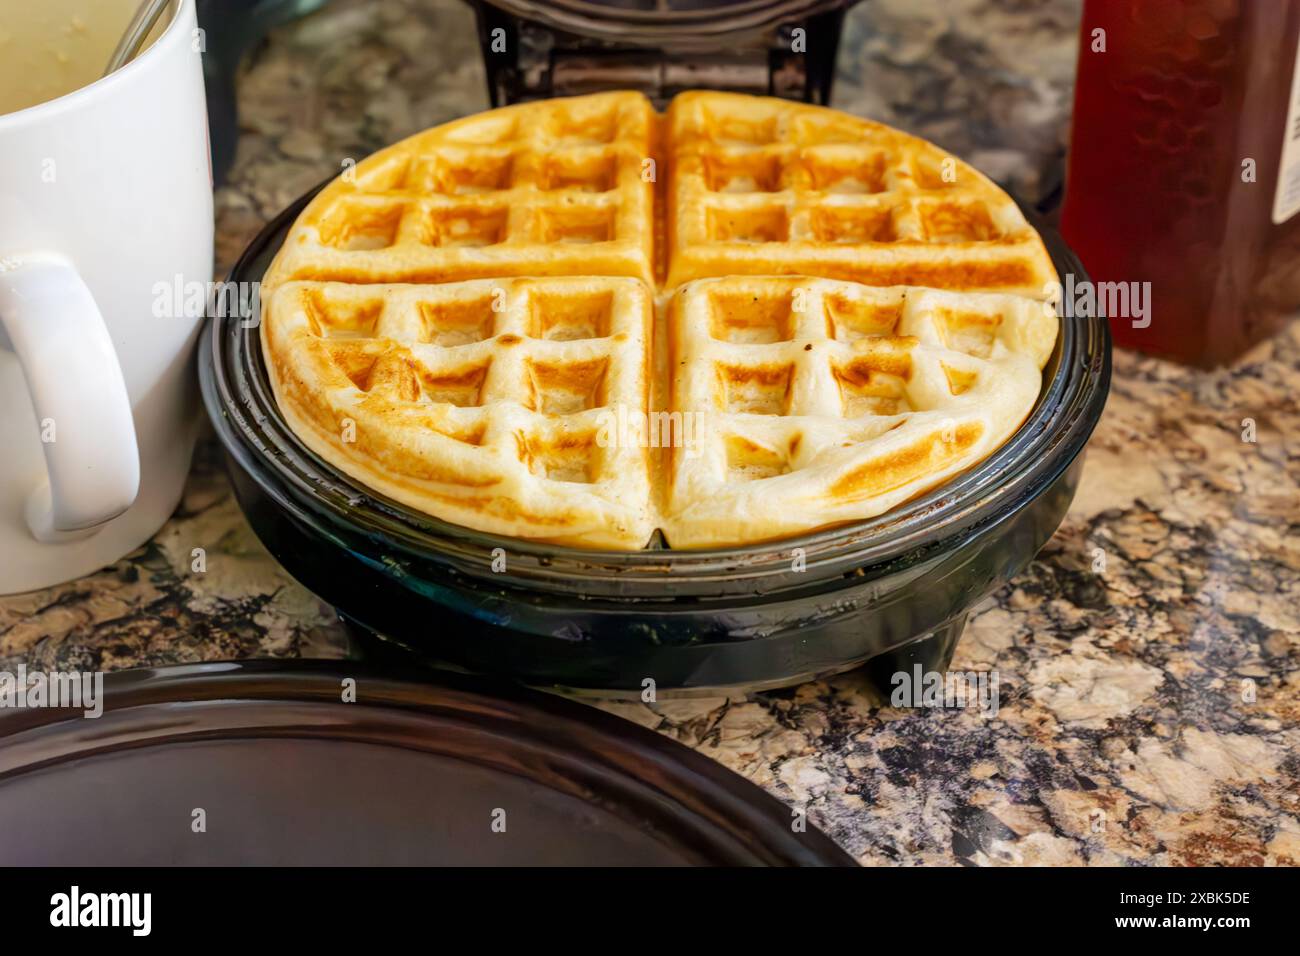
[480,403]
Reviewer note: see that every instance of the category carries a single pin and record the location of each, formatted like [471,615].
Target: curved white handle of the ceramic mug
[76,386]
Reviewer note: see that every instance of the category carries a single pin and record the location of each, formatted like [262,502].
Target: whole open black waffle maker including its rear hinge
[887,594]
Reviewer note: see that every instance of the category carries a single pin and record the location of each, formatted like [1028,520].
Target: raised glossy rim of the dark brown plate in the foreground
[593,745]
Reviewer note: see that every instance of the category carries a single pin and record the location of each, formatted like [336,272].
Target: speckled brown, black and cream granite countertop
[1150,657]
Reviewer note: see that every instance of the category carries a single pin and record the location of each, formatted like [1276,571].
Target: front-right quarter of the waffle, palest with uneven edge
[824,403]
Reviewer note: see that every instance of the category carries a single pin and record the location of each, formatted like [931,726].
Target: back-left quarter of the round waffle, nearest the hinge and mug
[544,189]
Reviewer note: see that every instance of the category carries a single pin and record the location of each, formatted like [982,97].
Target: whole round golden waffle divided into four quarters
[471,323]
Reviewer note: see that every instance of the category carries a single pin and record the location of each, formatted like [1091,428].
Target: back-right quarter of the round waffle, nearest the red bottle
[764,187]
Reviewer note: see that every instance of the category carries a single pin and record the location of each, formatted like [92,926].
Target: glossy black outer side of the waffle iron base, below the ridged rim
[791,643]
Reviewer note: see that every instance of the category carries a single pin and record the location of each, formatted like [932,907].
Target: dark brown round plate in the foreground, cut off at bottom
[456,772]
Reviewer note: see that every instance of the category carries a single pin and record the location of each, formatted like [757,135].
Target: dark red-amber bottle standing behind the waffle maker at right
[1177,174]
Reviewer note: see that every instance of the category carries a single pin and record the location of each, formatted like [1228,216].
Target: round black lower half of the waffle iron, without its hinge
[890,592]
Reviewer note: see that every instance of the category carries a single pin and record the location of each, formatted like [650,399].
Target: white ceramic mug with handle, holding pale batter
[106,193]
